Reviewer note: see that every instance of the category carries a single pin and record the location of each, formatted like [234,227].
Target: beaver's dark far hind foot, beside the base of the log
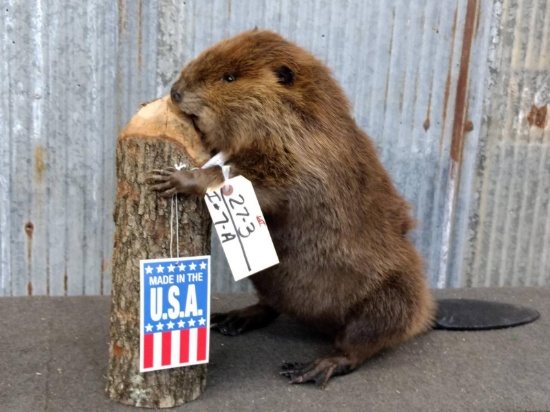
[235,322]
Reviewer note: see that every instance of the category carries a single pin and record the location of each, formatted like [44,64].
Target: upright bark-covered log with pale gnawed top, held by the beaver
[156,137]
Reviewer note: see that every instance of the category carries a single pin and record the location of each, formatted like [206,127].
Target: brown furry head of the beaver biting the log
[257,89]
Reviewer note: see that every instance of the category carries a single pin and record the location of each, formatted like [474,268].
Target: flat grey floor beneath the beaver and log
[53,357]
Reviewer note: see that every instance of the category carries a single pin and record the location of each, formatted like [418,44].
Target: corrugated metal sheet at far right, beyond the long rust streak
[509,231]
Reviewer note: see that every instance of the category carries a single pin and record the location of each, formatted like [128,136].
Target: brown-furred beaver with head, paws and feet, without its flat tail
[337,222]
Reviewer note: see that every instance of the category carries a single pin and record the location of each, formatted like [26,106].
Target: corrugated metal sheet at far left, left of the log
[58,125]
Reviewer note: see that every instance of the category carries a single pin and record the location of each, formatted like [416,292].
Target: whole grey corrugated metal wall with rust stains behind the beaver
[453,93]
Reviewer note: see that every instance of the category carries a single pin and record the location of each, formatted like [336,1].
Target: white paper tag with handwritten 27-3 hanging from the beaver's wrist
[241,227]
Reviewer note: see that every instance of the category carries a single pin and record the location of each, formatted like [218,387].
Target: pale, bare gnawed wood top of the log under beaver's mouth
[160,119]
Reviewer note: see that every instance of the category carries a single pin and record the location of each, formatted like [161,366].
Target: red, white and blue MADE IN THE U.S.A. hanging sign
[175,312]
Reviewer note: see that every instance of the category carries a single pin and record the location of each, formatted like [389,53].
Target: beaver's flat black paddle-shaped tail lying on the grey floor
[470,314]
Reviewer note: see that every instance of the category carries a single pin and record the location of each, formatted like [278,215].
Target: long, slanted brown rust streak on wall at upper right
[460,109]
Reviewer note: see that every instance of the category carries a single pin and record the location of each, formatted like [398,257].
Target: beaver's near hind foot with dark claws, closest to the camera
[318,371]
